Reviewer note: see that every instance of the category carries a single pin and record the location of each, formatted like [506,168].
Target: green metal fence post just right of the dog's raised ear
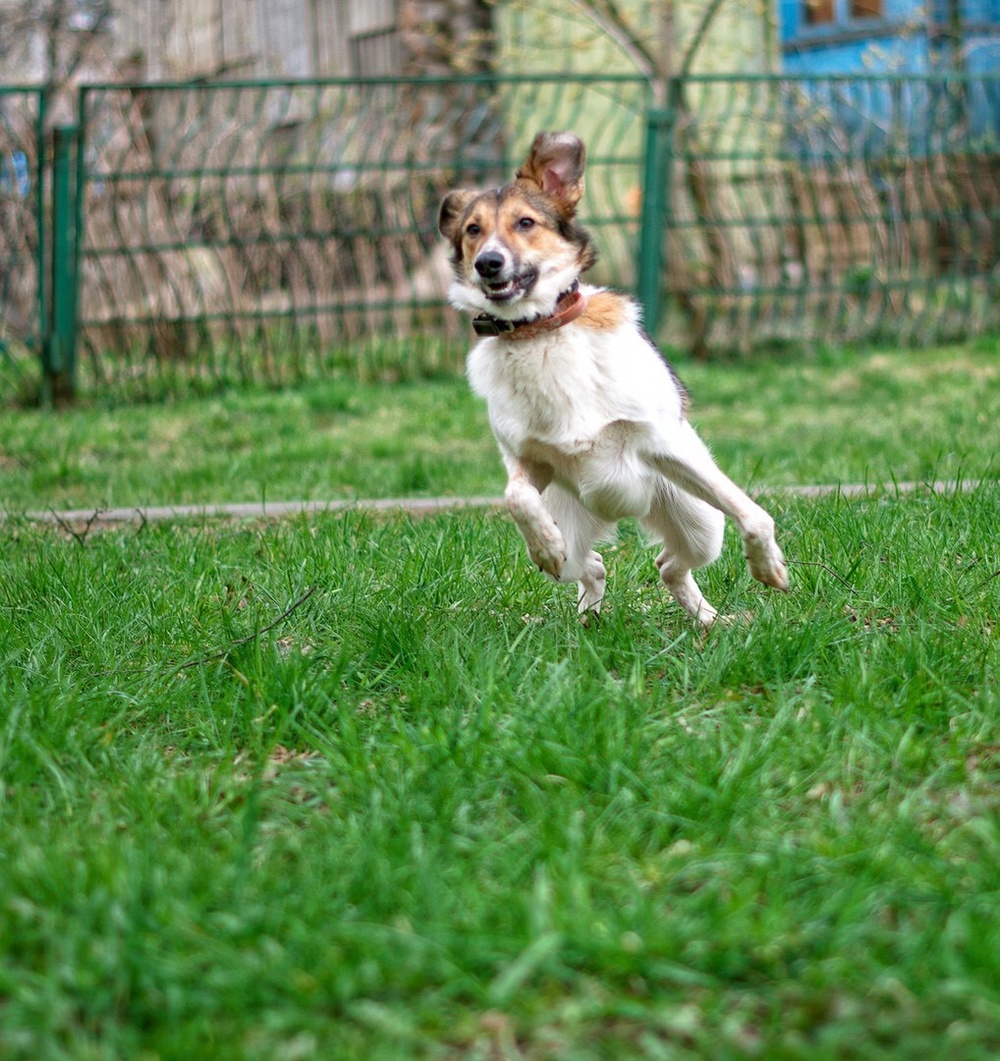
[653,236]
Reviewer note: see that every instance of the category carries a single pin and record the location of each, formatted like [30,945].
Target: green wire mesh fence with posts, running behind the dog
[272,231]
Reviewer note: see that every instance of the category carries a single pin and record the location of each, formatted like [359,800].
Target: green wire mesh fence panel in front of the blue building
[832,210]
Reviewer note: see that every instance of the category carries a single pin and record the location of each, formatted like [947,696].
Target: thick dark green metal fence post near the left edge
[60,349]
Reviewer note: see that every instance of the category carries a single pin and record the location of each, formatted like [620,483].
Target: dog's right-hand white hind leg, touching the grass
[692,534]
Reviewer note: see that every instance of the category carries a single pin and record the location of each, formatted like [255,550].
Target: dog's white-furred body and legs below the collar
[592,429]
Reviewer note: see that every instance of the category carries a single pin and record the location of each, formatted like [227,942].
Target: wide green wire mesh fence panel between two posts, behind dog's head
[260,231]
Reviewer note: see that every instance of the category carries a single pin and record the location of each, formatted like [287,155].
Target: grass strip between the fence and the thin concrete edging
[840,418]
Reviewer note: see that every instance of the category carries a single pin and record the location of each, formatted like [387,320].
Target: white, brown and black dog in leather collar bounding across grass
[590,419]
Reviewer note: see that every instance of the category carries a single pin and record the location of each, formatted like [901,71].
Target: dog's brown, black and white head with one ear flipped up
[517,249]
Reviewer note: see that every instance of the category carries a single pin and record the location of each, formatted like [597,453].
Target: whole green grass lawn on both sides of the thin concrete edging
[364,788]
